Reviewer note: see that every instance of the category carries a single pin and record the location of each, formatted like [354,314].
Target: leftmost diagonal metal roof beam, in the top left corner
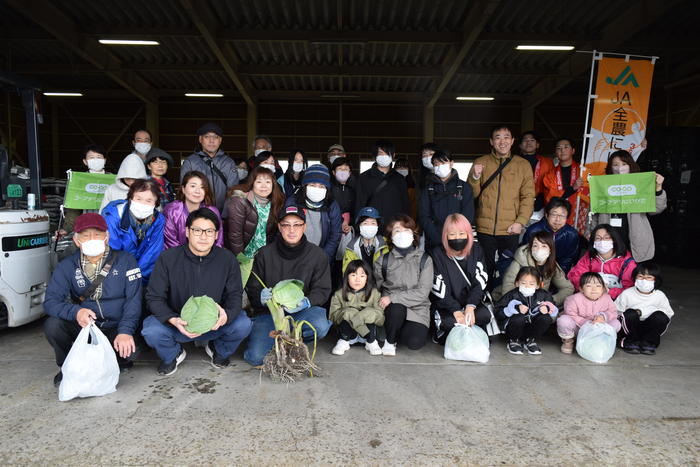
[49,17]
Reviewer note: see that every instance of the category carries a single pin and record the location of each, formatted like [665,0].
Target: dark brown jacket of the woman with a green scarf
[242,221]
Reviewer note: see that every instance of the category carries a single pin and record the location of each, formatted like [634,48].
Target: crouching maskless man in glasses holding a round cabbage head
[192,270]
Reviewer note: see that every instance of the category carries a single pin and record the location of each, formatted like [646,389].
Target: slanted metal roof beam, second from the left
[205,20]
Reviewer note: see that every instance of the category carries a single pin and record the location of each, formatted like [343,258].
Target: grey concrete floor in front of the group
[416,408]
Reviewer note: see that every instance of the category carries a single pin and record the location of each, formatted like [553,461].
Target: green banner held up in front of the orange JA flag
[617,194]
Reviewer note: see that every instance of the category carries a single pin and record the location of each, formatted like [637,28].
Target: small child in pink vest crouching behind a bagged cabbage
[592,304]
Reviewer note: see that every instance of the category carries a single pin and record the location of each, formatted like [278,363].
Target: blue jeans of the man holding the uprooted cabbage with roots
[260,342]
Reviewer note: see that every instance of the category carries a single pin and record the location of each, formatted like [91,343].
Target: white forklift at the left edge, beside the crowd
[25,258]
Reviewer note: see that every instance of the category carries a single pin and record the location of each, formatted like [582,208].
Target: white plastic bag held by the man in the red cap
[90,369]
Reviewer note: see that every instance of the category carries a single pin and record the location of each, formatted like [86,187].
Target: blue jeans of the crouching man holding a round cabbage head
[166,339]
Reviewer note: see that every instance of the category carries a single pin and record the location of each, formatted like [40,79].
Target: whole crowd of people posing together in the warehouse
[384,259]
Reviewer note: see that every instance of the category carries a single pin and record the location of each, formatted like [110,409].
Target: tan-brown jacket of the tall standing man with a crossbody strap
[509,198]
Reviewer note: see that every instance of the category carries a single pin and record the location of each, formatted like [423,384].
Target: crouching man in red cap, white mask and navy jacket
[95,284]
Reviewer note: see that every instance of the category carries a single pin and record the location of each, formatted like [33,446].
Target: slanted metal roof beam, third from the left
[476,20]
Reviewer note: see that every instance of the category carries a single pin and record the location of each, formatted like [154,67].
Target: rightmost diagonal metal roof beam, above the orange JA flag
[629,23]
